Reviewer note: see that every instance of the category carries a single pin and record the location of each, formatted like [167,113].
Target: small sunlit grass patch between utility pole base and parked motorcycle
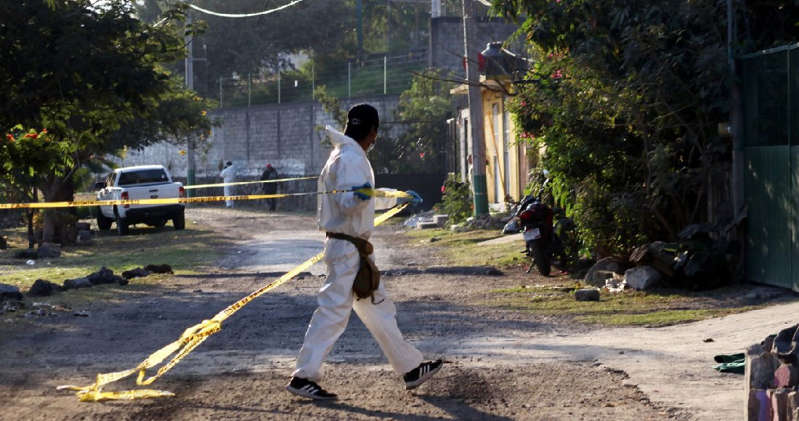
[463,248]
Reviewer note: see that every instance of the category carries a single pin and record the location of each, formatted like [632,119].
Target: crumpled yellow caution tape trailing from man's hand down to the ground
[190,339]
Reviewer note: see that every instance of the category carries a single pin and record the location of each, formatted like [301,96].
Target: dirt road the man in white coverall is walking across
[503,364]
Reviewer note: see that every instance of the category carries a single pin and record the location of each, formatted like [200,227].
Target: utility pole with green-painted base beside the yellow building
[471,51]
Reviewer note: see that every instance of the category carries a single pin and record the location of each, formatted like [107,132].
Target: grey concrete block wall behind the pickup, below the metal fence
[288,136]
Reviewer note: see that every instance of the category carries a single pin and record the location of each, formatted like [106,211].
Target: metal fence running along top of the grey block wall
[382,75]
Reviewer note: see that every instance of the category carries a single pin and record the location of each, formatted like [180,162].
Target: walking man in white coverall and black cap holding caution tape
[352,213]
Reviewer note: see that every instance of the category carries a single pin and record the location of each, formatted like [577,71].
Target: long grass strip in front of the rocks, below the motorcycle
[629,308]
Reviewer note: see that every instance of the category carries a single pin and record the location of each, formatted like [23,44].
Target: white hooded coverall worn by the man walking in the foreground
[348,167]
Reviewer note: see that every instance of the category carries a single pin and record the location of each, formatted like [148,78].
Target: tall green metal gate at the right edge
[771,165]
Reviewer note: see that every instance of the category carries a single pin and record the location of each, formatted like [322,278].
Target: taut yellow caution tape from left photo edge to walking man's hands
[175,200]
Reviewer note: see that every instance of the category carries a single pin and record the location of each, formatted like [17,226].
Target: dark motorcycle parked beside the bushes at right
[542,243]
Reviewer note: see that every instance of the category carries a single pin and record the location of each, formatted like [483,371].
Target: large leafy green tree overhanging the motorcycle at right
[626,97]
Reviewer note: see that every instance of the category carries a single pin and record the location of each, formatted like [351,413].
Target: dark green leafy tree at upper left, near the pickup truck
[93,76]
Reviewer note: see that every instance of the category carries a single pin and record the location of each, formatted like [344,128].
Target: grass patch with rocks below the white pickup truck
[188,251]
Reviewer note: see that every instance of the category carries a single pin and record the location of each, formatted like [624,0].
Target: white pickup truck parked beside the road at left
[140,182]
